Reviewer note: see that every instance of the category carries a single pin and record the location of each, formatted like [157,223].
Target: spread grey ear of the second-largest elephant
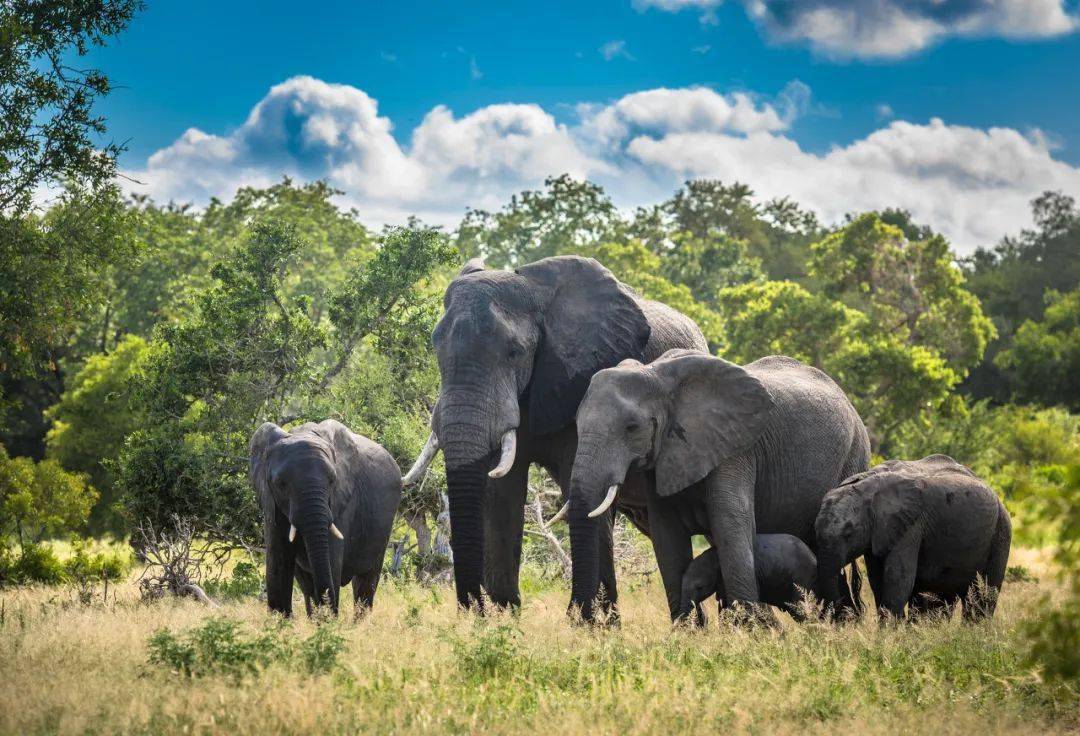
[719,411]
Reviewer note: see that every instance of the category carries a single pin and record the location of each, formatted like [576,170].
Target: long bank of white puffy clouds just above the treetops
[974,185]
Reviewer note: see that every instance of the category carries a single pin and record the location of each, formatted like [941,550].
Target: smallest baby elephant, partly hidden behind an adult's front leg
[785,568]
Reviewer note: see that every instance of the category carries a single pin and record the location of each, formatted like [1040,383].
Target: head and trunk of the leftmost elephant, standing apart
[296,476]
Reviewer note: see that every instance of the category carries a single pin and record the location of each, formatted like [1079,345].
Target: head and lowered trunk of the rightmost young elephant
[868,513]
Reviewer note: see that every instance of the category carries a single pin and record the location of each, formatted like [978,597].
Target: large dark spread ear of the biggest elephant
[590,323]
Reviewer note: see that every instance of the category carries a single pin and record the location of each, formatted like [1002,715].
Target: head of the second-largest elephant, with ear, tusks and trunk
[680,417]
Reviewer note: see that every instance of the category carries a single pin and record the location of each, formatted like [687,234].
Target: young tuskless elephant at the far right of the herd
[927,529]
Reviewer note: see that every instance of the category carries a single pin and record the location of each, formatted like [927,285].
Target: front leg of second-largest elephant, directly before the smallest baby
[730,500]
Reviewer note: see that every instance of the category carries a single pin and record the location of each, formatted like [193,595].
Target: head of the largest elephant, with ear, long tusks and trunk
[533,338]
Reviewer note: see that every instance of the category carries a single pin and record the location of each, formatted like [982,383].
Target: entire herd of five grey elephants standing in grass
[560,365]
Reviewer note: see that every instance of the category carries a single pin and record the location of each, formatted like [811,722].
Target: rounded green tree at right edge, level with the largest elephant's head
[1044,360]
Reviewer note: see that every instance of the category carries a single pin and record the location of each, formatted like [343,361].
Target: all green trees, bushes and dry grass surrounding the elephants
[142,343]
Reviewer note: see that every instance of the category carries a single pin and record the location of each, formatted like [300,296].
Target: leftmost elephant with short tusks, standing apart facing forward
[312,477]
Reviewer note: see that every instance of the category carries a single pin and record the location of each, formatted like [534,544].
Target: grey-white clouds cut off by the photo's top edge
[893,29]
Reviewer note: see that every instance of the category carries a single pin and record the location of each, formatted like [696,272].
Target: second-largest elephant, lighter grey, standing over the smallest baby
[734,451]
